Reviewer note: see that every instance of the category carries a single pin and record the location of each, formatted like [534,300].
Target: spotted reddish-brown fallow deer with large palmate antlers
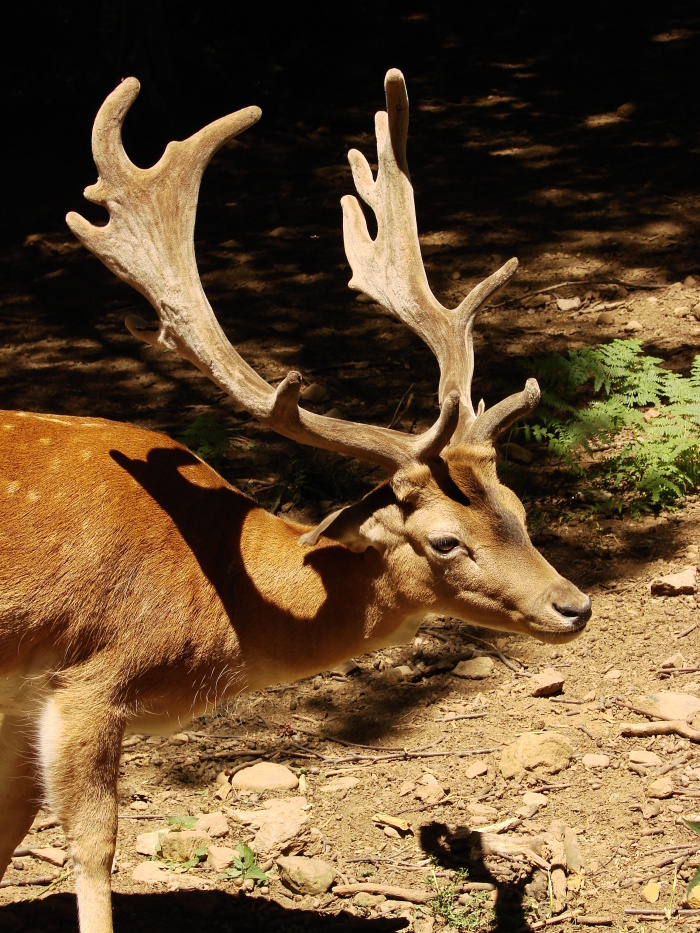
[138,589]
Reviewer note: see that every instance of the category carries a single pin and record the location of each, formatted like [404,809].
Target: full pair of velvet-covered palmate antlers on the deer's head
[148,242]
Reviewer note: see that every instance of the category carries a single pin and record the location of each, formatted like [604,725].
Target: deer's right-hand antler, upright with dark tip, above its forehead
[390,270]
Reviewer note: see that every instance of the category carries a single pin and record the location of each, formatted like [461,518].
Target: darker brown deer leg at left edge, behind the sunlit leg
[20,787]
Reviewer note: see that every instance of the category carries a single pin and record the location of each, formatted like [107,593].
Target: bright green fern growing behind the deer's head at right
[656,455]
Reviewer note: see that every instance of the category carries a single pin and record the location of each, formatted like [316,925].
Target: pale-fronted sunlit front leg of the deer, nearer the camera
[80,741]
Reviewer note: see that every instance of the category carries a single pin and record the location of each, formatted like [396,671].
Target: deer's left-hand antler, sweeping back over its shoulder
[148,242]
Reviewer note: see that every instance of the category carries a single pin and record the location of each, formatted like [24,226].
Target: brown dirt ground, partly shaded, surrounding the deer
[597,195]
